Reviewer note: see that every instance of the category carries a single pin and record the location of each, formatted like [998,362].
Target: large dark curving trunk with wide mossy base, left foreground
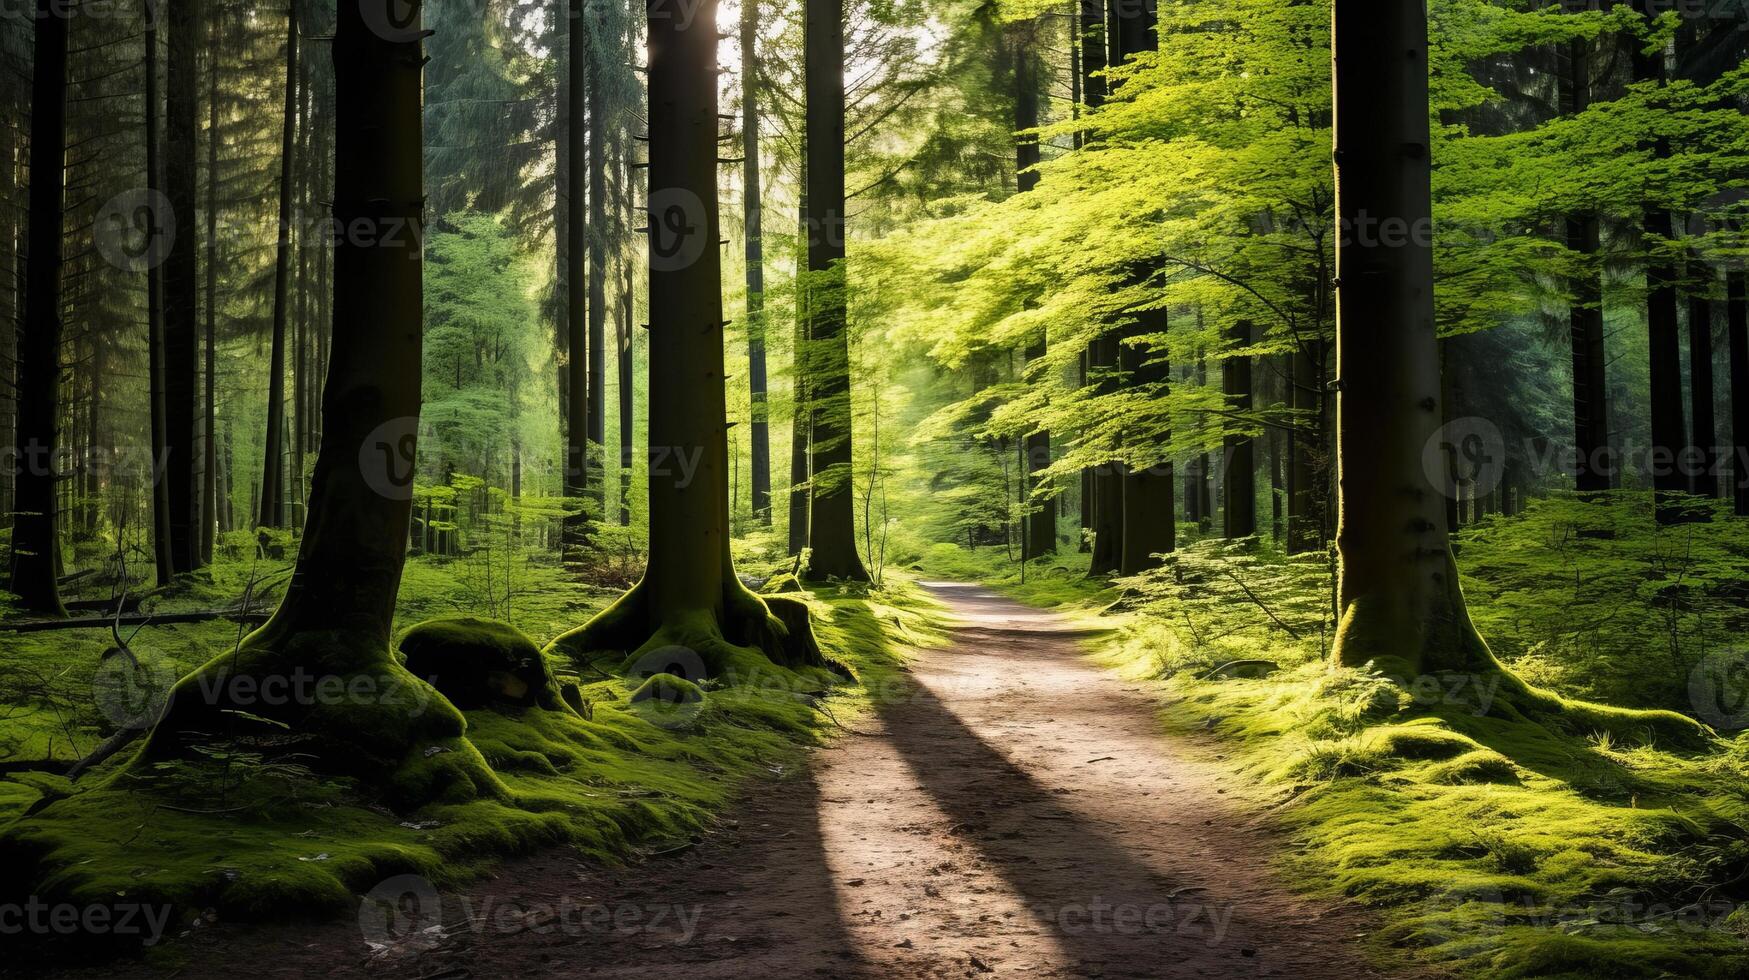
[335,620]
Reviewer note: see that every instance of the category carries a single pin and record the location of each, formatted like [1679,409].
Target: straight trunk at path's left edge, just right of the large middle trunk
[833,533]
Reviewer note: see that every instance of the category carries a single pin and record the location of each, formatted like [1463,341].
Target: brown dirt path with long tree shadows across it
[1021,815]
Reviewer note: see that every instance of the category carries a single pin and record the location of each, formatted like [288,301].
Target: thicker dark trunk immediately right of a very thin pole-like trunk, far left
[183,284]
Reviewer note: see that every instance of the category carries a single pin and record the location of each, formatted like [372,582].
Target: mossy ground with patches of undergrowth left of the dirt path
[253,832]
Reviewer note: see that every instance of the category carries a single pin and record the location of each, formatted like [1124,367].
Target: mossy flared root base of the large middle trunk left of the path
[741,645]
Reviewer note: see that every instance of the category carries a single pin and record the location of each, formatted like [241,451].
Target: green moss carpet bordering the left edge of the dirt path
[254,834]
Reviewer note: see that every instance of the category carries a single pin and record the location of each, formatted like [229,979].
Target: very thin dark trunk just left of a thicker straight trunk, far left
[155,318]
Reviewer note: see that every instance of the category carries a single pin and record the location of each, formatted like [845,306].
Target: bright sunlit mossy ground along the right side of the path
[1495,834]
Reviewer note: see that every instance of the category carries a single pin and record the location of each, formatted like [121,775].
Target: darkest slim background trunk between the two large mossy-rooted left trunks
[576,274]
